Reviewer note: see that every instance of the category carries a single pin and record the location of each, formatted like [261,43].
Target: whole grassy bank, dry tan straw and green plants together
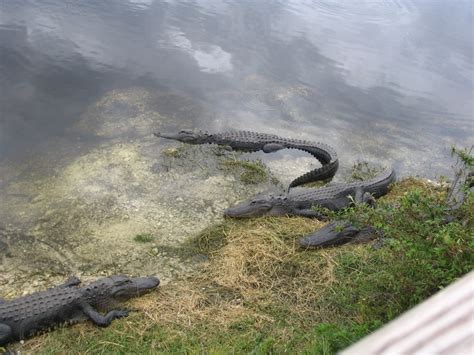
[258,293]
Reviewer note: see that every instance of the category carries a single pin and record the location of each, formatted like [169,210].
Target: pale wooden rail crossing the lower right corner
[443,324]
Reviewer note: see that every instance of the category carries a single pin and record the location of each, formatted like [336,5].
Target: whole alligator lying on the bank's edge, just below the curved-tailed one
[300,202]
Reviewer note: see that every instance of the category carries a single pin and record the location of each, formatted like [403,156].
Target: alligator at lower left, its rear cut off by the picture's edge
[26,316]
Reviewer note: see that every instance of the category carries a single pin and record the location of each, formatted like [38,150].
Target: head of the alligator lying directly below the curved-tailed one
[269,205]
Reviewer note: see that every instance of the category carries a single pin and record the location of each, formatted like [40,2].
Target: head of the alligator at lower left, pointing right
[120,287]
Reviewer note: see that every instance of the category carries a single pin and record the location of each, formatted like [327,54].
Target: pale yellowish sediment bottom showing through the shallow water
[82,216]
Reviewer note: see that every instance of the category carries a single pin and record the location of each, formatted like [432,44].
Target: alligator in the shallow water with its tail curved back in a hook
[252,142]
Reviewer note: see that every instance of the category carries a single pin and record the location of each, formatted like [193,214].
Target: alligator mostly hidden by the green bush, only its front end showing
[337,233]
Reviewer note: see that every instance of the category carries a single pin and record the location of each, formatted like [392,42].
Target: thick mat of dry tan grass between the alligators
[259,265]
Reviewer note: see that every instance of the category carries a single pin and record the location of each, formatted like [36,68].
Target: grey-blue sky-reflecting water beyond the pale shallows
[387,77]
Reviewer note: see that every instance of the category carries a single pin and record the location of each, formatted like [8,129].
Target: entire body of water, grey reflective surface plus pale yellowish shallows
[84,84]
